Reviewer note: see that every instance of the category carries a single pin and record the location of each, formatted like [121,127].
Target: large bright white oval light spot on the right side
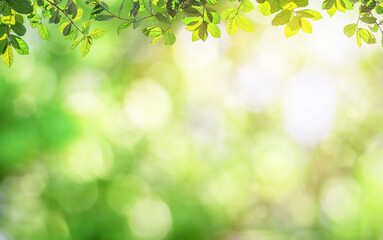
[309,106]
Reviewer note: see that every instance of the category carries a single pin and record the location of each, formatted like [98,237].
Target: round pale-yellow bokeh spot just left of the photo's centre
[147,105]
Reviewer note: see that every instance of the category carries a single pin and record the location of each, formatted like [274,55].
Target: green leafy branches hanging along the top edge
[199,16]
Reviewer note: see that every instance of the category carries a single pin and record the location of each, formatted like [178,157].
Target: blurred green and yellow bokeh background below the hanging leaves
[250,137]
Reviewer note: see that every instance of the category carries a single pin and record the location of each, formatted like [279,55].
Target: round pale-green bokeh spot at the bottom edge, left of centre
[150,219]
